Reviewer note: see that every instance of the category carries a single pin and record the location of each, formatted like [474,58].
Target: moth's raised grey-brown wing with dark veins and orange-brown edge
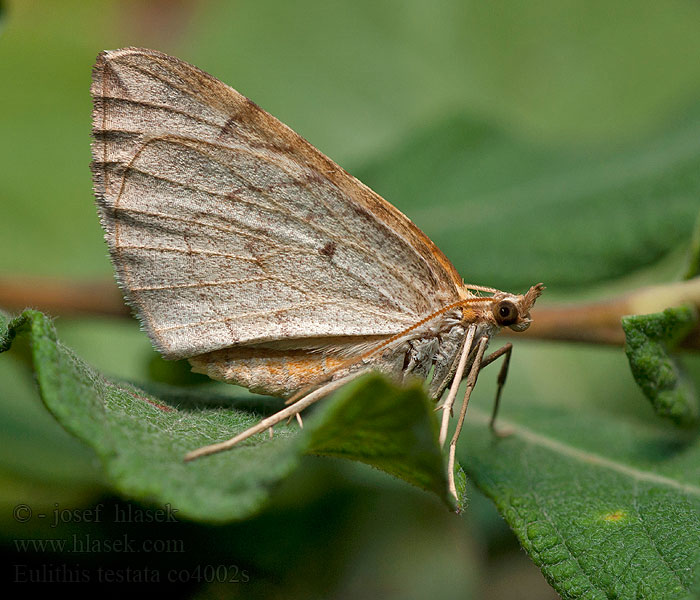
[225,227]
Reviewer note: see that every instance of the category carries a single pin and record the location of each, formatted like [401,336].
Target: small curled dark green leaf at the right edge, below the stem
[650,341]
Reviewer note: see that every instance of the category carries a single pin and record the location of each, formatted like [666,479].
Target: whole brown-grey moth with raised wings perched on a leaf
[244,249]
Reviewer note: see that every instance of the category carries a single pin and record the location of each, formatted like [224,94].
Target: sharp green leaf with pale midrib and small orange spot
[607,508]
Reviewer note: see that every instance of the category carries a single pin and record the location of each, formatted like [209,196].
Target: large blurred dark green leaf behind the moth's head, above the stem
[509,213]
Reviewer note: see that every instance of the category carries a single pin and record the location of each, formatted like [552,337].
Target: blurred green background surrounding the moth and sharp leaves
[555,141]
